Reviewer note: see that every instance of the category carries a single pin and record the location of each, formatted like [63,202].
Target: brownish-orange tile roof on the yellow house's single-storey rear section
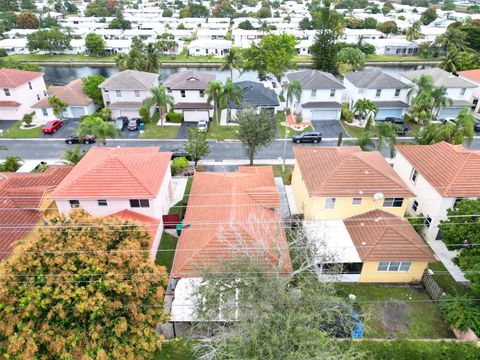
[380,236]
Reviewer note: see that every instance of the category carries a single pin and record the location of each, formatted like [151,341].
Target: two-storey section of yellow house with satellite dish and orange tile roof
[340,182]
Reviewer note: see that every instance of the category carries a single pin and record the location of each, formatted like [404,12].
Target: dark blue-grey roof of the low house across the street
[255,94]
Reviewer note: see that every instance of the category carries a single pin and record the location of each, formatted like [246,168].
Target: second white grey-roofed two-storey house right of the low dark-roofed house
[388,93]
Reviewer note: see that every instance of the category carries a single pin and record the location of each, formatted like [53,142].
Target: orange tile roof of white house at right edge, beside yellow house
[451,169]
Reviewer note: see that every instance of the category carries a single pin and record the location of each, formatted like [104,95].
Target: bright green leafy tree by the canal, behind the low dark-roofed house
[274,55]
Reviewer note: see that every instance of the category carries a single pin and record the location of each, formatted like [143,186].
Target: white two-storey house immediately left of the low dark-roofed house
[188,91]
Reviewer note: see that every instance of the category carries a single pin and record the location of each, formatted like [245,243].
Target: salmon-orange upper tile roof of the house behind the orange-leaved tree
[116,173]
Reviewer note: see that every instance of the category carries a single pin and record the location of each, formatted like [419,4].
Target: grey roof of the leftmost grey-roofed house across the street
[130,80]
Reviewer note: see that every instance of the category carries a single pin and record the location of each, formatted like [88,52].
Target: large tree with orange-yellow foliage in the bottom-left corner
[112,299]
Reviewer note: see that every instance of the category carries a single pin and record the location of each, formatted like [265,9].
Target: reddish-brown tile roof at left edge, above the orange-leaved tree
[21,196]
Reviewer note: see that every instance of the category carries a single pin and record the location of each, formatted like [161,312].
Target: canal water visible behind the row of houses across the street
[61,75]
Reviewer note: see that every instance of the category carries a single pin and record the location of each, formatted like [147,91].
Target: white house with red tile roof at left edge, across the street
[19,91]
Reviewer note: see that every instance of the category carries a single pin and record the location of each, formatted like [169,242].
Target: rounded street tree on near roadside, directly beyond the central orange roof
[255,130]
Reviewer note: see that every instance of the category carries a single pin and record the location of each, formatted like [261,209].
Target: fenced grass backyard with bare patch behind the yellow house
[397,311]
